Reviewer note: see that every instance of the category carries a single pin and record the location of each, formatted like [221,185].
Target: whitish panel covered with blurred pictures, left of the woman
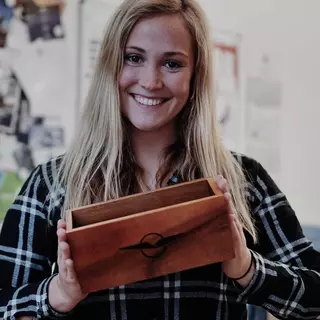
[35,105]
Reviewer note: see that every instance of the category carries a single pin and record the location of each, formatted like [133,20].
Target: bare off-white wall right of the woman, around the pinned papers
[289,32]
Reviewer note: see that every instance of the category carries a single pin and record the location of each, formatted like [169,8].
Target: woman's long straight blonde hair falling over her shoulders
[99,164]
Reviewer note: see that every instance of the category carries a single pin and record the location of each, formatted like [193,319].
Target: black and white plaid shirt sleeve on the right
[287,278]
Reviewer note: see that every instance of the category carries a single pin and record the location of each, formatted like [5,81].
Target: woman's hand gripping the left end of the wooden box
[64,289]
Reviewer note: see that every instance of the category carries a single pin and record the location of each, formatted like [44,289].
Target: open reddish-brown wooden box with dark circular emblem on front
[149,234]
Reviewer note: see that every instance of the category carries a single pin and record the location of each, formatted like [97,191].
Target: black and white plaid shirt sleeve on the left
[27,251]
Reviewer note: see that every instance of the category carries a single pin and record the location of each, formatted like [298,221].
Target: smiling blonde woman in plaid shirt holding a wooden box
[148,122]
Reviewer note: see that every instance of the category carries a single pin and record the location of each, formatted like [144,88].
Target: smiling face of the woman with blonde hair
[157,71]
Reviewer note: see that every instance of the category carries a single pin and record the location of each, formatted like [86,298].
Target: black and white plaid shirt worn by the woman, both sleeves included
[286,281]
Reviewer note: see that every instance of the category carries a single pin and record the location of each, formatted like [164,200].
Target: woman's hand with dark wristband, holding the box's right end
[240,264]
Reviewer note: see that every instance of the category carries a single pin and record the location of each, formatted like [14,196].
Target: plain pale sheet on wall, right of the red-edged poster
[263,123]
